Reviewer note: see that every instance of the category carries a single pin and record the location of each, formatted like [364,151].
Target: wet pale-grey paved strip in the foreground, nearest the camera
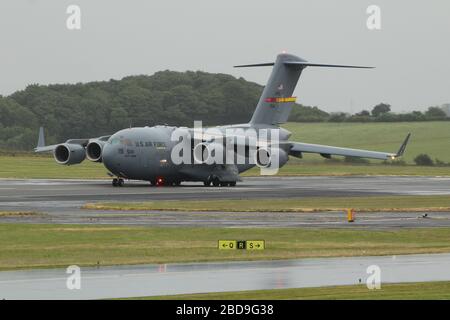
[151,280]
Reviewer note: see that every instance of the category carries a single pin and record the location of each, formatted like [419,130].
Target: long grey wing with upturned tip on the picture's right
[297,148]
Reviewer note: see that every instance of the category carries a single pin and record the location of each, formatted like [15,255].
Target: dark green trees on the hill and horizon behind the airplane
[93,109]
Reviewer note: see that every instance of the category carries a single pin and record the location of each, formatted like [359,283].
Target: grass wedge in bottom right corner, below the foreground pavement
[403,291]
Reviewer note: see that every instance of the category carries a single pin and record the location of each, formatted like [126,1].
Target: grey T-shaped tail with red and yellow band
[276,101]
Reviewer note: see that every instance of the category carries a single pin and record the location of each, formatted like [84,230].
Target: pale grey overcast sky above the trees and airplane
[411,52]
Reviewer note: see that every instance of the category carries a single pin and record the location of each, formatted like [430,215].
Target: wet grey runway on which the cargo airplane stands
[59,201]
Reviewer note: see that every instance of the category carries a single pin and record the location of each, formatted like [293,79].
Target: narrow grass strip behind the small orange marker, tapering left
[304,204]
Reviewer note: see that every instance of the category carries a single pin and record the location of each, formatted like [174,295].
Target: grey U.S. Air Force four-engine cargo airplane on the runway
[144,153]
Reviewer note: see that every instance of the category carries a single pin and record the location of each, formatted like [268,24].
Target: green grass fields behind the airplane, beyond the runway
[432,138]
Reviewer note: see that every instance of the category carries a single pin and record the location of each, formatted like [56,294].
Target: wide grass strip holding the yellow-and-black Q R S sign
[40,245]
